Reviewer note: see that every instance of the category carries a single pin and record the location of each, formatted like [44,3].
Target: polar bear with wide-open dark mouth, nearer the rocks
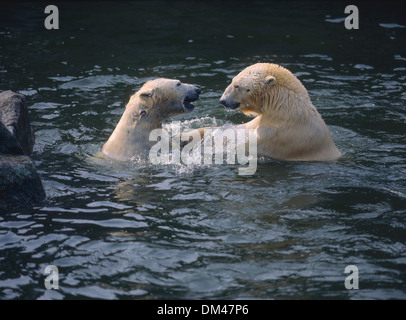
[155,102]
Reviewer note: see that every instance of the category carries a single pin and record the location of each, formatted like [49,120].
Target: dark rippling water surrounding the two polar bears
[124,231]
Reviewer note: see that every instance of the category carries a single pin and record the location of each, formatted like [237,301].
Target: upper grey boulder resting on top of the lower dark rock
[14,115]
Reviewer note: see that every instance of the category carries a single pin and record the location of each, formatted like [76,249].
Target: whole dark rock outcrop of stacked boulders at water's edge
[20,184]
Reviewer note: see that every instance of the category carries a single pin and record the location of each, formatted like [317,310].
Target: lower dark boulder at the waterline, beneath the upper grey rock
[20,184]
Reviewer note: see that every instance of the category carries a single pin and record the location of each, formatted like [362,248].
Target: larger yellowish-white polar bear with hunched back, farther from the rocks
[288,126]
